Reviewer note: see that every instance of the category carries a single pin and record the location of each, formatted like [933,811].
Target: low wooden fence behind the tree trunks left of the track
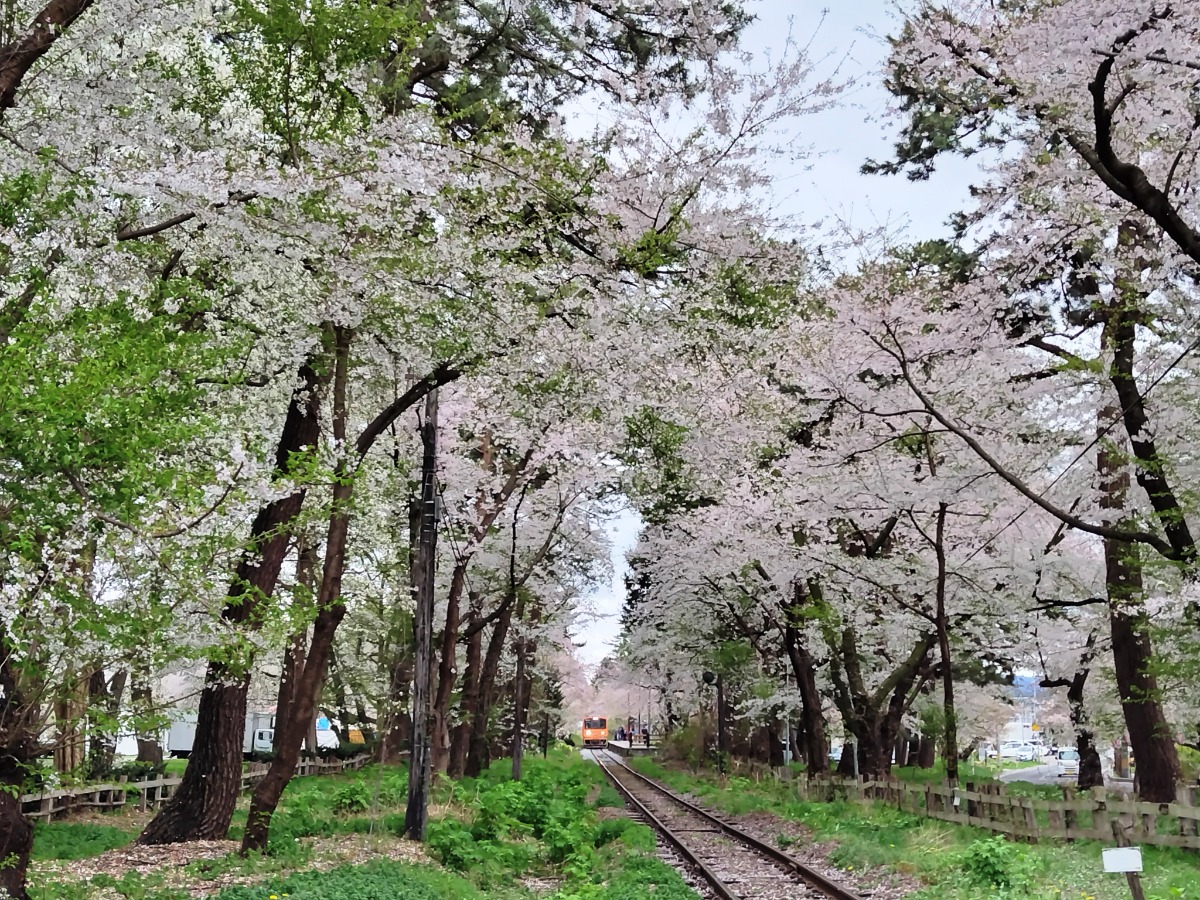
[152,794]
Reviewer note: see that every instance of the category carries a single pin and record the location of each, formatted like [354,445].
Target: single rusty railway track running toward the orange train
[733,865]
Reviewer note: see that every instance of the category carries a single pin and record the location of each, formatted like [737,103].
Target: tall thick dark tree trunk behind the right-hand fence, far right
[1159,765]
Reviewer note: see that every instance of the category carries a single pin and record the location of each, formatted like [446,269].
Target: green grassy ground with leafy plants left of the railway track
[490,838]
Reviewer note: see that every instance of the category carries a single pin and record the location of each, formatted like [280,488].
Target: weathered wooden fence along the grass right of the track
[1088,815]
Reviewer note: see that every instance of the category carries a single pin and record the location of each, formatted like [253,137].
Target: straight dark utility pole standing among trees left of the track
[424,568]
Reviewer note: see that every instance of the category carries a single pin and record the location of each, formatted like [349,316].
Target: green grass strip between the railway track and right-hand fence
[956,862]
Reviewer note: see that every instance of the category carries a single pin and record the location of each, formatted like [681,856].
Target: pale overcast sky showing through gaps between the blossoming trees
[827,184]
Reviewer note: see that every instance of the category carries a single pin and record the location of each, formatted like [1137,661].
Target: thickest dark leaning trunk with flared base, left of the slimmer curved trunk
[205,803]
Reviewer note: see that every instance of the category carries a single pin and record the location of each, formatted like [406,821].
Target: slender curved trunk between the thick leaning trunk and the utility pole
[331,613]
